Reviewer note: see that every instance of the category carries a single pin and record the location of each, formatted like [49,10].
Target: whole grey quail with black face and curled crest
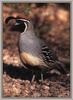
[34,52]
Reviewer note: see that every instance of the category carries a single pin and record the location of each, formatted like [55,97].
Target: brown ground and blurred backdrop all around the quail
[53,25]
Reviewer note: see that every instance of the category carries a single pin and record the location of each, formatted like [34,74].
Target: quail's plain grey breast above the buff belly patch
[29,43]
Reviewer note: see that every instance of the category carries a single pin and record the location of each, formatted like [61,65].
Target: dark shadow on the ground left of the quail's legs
[16,72]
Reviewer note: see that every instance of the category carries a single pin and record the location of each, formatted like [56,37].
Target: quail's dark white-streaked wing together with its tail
[51,58]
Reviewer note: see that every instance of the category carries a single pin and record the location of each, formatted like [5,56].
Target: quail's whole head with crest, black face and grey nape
[18,24]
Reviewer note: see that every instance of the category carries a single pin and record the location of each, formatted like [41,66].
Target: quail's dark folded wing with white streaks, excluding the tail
[48,54]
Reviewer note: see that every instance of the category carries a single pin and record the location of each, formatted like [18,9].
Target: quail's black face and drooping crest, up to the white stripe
[16,24]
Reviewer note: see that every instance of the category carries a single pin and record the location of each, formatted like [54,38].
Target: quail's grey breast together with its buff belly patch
[29,51]
